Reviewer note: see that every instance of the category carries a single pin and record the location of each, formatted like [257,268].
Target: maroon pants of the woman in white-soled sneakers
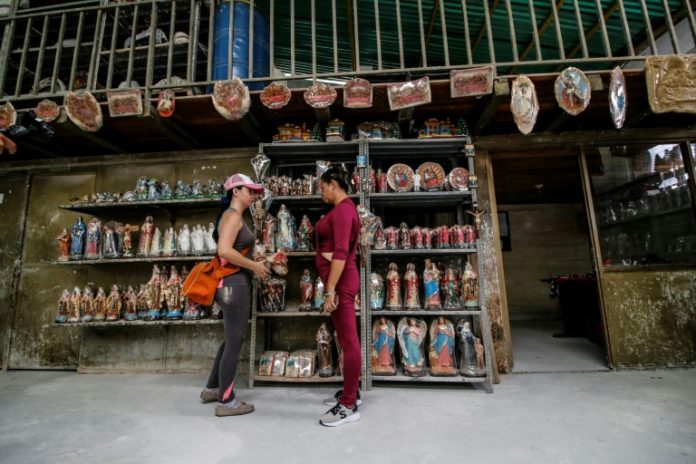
[344,321]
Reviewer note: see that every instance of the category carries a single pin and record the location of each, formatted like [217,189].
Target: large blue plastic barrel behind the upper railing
[240,44]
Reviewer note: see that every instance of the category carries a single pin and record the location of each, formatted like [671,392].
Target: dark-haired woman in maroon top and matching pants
[336,260]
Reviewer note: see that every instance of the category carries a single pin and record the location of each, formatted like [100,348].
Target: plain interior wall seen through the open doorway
[546,240]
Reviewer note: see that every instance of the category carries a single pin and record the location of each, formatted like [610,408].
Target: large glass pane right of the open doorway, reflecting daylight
[644,206]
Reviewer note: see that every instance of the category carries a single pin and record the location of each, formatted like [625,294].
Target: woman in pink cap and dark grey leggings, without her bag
[234,241]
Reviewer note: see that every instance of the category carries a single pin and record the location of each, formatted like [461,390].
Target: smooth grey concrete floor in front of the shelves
[598,417]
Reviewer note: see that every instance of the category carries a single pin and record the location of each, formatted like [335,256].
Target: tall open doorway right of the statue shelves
[550,282]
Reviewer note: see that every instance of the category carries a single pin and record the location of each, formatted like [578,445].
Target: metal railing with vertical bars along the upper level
[153,44]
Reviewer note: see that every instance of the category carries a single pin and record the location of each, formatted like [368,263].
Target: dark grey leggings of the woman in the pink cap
[235,302]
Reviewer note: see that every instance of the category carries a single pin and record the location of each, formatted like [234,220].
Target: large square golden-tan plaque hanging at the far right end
[671,82]
